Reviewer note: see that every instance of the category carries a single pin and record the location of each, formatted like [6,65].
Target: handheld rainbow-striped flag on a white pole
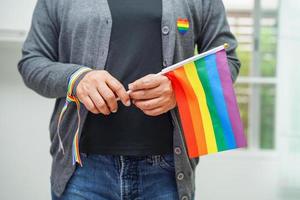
[207,103]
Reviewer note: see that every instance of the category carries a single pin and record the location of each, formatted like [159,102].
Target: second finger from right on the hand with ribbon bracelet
[108,96]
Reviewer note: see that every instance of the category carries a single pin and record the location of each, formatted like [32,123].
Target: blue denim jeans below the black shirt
[110,177]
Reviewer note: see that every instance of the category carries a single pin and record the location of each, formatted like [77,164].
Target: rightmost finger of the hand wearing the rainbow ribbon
[119,89]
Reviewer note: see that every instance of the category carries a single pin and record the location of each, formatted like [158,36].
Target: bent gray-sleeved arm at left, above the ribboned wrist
[39,66]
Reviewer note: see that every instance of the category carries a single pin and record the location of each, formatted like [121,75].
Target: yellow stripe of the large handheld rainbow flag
[192,75]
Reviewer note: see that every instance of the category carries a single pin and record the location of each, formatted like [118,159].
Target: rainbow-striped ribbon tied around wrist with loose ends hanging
[69,99]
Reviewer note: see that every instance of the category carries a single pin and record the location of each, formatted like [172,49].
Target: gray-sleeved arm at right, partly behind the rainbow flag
[214,31]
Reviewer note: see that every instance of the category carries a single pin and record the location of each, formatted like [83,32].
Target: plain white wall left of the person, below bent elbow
[24,137]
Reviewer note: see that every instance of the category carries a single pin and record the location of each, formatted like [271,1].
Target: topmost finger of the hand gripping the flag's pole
[147,82]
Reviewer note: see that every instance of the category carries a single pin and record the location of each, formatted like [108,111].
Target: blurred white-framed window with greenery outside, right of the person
[255,23]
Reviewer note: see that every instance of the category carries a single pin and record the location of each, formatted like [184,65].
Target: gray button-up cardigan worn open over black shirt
[66,35]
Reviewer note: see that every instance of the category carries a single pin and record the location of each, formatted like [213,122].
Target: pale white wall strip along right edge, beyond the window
[288,98]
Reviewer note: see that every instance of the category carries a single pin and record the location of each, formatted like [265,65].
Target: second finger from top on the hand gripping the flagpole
[146,94]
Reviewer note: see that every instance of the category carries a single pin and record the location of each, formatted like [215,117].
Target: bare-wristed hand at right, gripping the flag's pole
[153,94]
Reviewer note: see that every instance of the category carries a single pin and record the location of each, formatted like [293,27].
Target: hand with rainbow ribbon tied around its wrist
[97,91]
